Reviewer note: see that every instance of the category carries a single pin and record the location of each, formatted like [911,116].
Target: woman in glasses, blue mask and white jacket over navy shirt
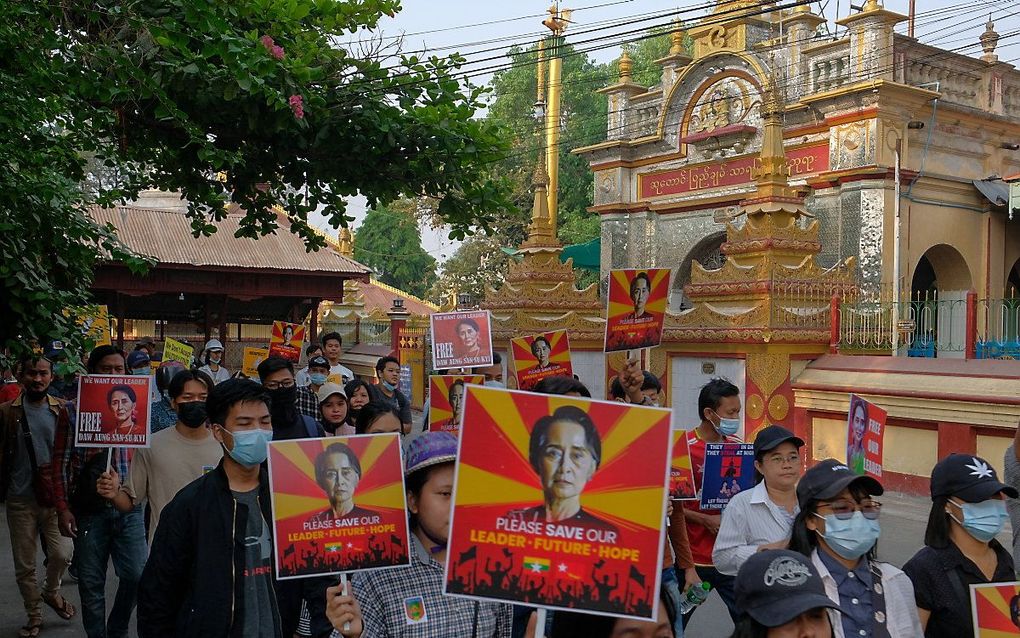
[838,529]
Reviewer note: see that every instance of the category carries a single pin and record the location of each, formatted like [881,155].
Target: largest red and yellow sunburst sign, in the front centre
[560,503]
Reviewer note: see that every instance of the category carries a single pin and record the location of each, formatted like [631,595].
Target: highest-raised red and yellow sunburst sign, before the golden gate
[638,302]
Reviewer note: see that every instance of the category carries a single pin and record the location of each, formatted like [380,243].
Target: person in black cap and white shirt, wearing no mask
[762,518]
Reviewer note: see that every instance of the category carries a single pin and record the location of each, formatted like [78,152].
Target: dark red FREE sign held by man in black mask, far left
[114,411]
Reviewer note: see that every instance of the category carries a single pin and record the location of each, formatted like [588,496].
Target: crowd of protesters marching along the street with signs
[187,526]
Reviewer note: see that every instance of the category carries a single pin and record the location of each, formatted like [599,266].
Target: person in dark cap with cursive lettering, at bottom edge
[781,596]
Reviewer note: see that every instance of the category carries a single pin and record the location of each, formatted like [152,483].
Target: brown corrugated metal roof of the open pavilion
[167,236]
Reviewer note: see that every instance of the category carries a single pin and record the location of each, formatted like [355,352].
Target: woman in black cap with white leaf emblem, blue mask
[967,512]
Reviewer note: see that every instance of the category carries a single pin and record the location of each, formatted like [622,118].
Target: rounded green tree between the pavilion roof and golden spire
[389,241]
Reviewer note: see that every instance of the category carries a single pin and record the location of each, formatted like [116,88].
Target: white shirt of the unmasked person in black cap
[750,520]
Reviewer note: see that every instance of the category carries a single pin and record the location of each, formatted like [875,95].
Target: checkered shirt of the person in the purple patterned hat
[387,599]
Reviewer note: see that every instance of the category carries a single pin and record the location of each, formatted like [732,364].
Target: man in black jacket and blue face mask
[211,567]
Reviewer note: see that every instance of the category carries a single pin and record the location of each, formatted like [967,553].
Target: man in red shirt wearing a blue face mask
[720,412]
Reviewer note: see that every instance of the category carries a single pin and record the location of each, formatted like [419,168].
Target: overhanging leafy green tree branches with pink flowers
[169,94]
